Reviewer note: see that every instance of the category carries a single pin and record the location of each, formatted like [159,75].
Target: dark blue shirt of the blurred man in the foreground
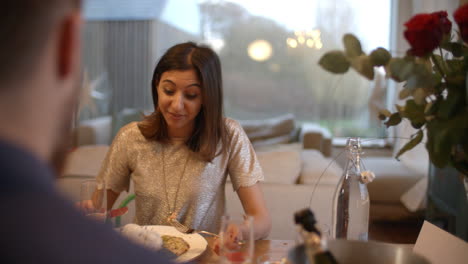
[38,225]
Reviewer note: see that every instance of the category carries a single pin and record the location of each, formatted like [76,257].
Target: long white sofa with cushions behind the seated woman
[291,173]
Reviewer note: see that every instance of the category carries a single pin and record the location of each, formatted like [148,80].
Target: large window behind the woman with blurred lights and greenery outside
[269,51]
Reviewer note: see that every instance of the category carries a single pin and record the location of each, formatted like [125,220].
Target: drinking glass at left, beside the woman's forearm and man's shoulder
[93,200]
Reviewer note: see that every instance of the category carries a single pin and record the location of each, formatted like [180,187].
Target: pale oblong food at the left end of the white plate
[140,235]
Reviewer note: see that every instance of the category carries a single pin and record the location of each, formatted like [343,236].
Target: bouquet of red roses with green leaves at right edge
[435,90]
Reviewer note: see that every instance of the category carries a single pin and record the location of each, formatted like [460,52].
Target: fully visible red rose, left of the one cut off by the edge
[424,33]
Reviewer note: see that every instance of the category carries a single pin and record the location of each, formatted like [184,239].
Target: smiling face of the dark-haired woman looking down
[180,101]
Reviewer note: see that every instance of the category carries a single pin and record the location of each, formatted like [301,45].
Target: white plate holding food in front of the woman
[196,242]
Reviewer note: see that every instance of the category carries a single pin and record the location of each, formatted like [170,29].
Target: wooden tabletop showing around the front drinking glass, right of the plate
[277,247]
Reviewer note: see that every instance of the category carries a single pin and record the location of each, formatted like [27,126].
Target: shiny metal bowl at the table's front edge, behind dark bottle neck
[370,252]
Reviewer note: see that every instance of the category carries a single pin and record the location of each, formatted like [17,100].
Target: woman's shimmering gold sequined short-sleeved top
[201,199]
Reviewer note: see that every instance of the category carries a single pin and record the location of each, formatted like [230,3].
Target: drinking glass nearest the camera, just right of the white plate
[236,239]
